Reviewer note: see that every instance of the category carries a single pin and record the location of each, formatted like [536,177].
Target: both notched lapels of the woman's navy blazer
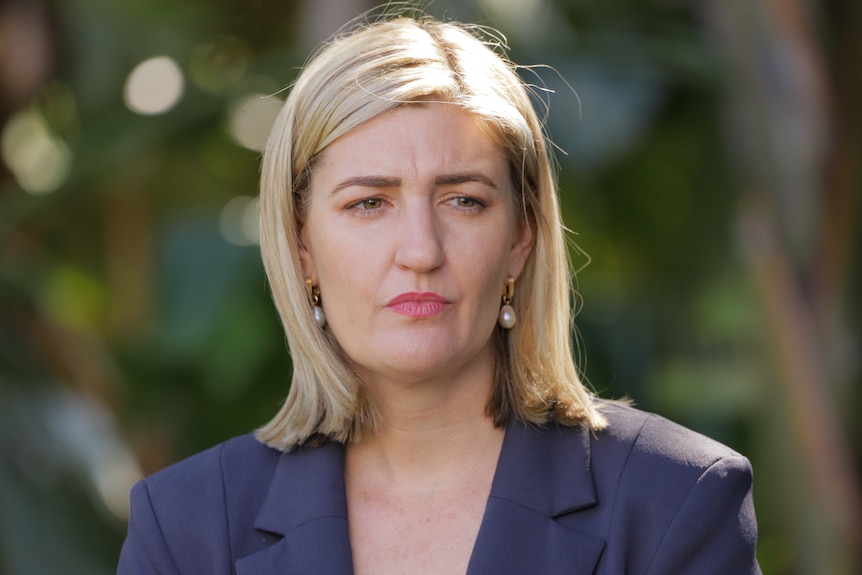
[542,475]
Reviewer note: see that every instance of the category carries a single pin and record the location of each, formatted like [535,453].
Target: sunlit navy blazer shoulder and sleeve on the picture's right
[665,490]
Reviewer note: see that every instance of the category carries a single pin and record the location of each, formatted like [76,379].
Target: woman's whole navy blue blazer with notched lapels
[645,496]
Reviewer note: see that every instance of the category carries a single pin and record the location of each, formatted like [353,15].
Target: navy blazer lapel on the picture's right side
[542,475]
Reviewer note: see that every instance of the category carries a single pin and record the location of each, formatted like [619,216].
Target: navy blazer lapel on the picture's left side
[307,505]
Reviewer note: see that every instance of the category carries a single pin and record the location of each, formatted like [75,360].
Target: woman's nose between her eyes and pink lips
[420,245]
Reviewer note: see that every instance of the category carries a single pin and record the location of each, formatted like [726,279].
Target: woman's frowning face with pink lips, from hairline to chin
[411,235]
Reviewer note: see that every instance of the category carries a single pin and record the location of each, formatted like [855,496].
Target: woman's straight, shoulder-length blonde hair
[360,75]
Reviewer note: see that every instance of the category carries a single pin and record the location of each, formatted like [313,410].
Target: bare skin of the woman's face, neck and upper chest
[416,201]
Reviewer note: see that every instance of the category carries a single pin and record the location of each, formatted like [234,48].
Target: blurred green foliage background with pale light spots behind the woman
[709,159]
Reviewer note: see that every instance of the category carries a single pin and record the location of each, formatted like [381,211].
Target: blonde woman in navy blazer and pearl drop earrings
[435,422]
